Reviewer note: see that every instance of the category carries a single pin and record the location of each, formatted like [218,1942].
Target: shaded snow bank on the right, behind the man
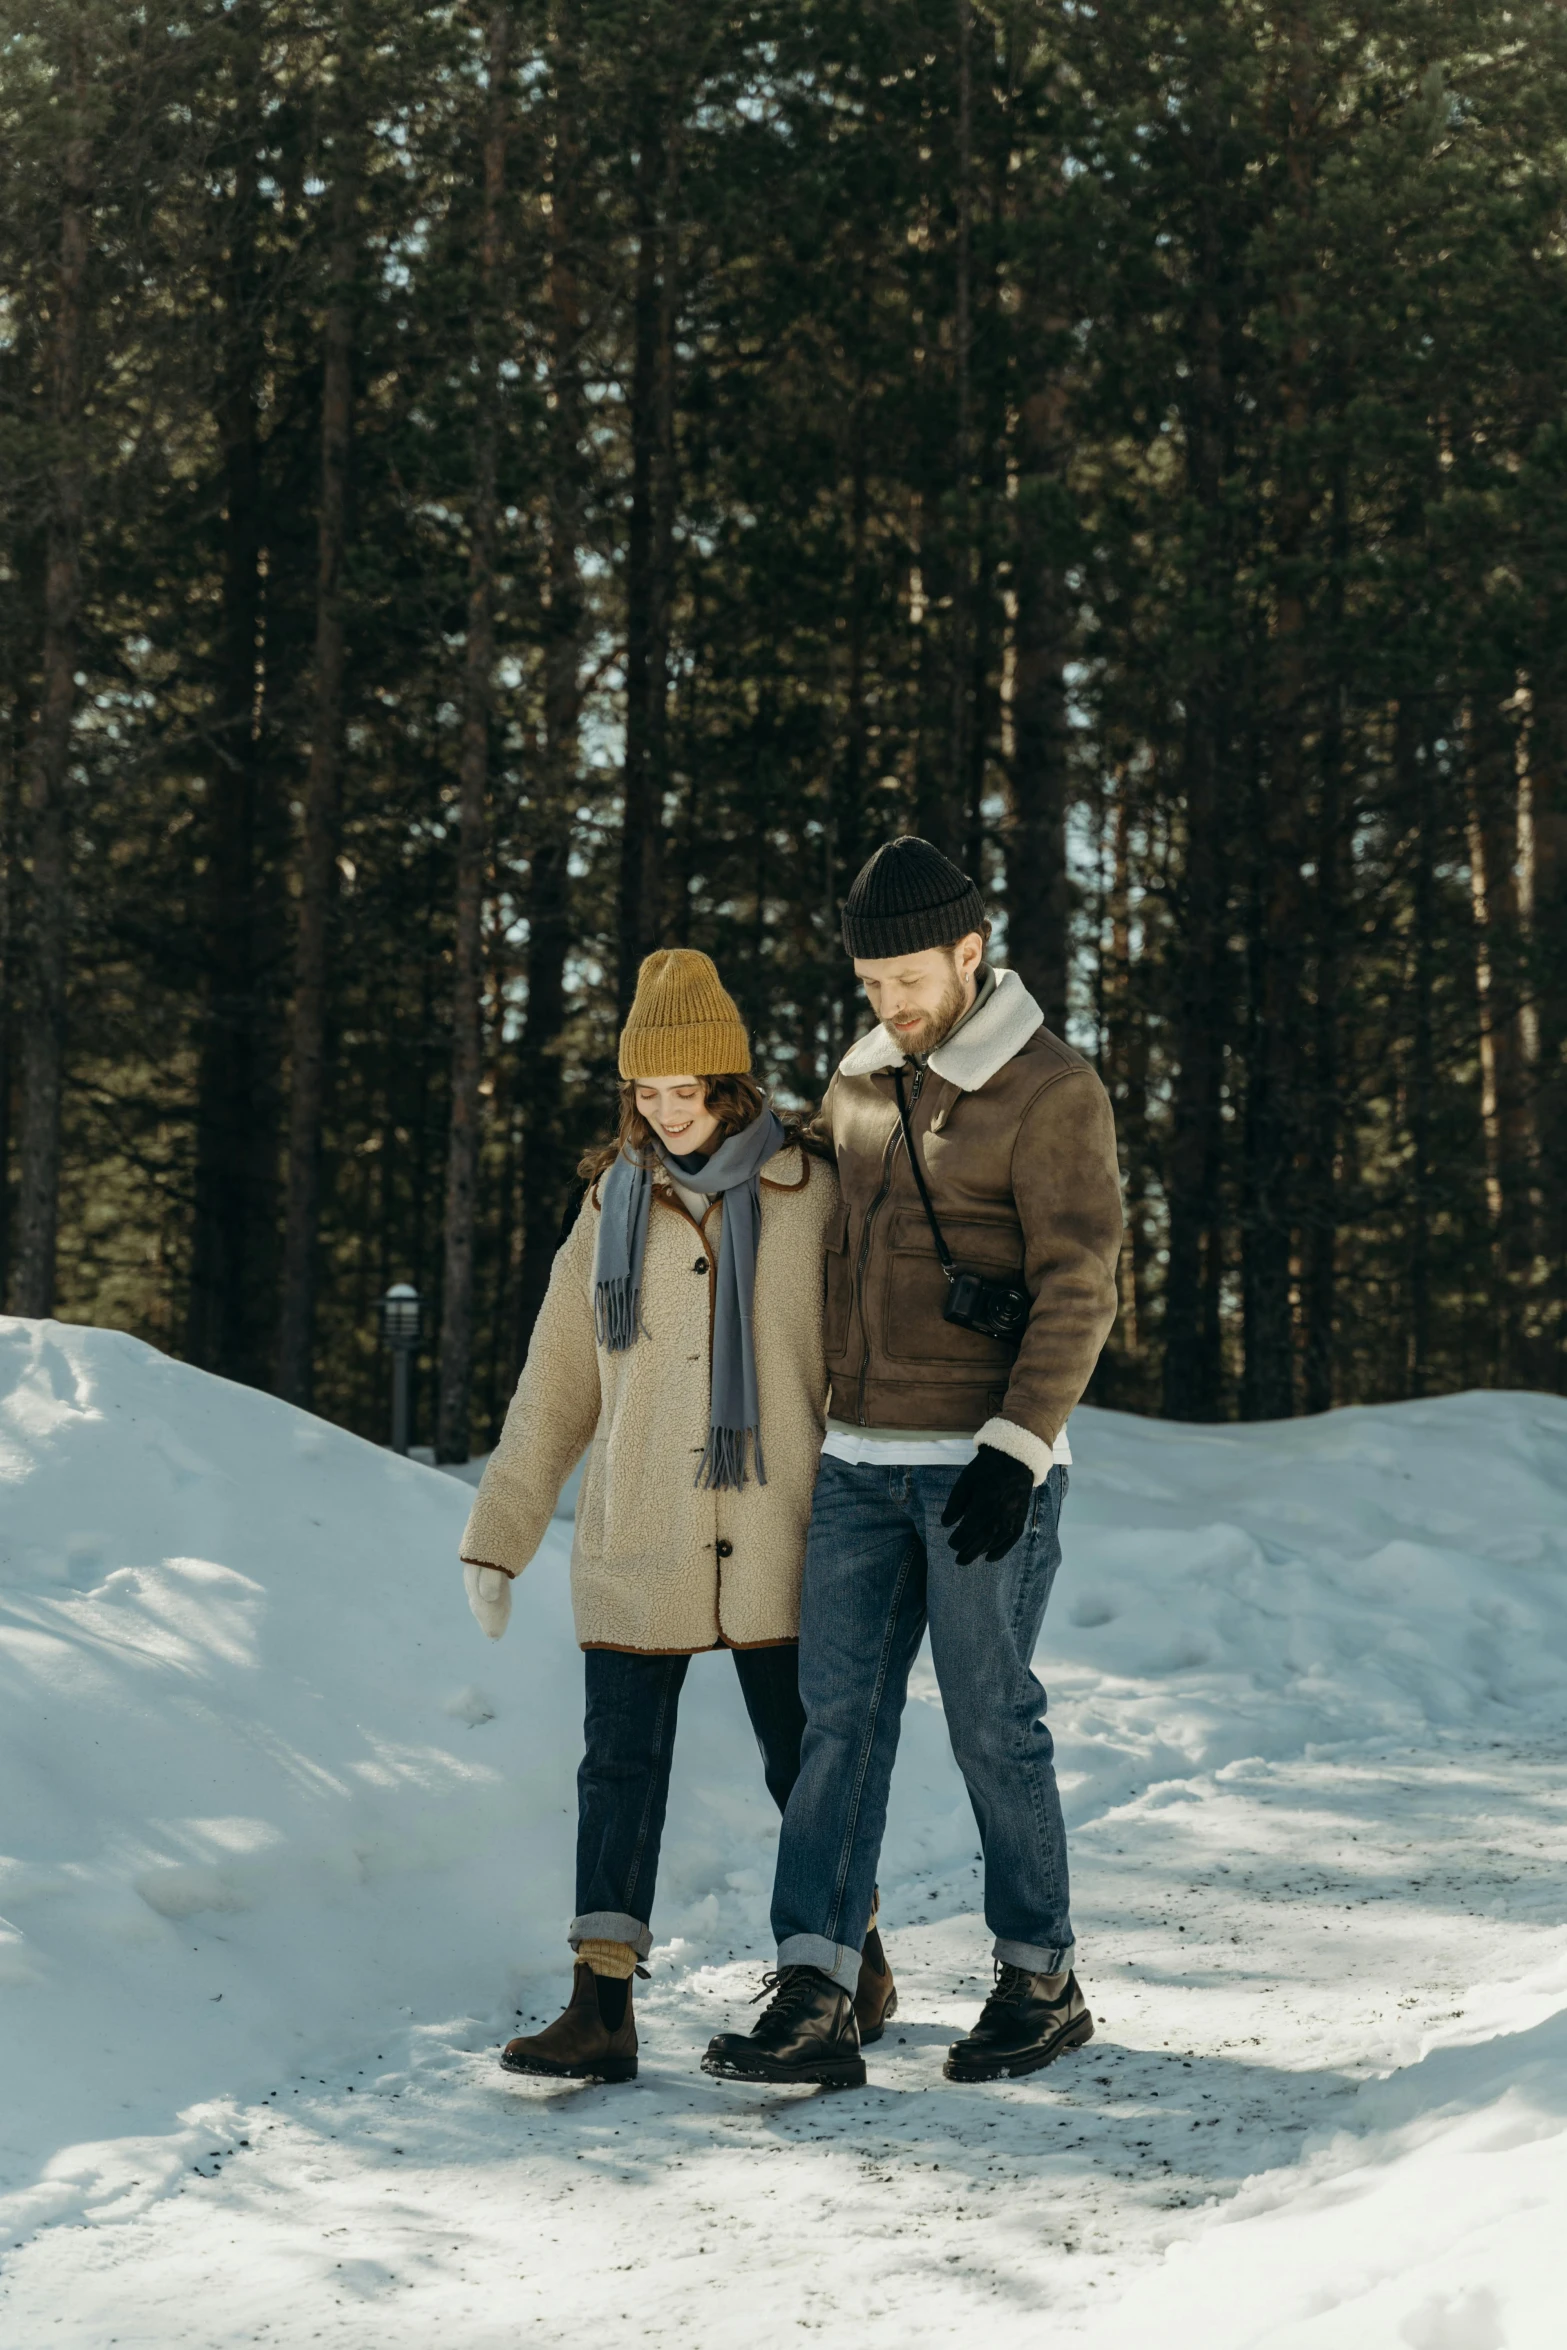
[1373,1573]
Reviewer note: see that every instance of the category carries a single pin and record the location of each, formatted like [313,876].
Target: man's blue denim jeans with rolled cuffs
[877,1571]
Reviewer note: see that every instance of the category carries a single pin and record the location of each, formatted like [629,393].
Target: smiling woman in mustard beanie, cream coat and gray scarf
[701,1406]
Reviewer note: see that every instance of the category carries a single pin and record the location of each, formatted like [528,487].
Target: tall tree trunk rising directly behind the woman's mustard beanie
[650,549]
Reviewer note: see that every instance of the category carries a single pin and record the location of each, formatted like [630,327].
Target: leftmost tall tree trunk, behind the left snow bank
[43,1023]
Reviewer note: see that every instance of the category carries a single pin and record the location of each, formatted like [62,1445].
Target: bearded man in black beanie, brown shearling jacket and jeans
[946,1463]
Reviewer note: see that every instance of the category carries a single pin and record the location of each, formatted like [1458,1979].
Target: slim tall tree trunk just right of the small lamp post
[452,1418]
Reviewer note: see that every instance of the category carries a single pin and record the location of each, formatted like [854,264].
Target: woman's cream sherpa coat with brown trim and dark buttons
[664,1566]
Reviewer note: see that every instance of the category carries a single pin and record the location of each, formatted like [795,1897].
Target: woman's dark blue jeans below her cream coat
[624,1785]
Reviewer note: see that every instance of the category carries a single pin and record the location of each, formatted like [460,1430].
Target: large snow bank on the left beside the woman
[264,1785]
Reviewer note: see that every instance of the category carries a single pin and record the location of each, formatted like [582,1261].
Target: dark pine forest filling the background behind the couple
[495,490]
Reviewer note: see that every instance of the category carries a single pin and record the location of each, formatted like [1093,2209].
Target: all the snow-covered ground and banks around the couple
[285,1848]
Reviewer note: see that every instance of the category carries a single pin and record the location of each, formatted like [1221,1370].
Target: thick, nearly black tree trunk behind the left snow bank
[234,1223]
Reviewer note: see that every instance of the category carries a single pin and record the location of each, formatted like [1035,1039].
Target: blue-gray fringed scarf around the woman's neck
[626,1193]
